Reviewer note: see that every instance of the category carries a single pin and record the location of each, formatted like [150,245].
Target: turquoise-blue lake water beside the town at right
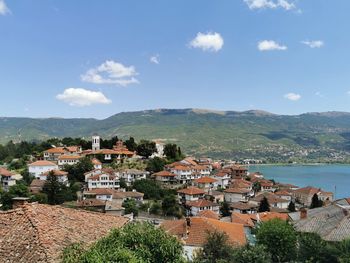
[332,178]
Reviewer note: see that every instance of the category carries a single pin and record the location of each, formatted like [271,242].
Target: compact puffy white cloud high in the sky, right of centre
[208,42]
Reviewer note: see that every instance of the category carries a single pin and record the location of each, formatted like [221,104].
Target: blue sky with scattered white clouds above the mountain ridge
[63,58]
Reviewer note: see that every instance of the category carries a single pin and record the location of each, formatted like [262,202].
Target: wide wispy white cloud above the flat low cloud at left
[111,72]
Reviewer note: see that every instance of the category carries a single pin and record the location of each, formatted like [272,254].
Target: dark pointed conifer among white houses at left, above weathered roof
[54,190]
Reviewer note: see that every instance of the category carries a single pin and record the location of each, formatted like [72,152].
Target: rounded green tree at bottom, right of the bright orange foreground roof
[279,238]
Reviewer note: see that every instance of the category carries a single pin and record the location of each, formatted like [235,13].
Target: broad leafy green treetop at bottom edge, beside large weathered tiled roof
[134,243]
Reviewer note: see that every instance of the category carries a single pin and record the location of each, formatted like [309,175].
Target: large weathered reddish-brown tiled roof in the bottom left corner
[38,233]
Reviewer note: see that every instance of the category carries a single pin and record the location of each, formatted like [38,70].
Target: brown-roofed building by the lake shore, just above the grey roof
[304,195]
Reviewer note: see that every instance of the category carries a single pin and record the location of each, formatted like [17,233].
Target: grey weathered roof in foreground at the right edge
[332,222]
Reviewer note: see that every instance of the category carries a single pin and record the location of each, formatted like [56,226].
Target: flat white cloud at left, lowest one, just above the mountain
[82,97]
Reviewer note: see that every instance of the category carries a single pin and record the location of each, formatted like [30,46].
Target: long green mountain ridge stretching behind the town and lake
[248,134]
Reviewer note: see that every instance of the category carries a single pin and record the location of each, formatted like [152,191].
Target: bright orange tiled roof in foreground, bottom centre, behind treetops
[195,231]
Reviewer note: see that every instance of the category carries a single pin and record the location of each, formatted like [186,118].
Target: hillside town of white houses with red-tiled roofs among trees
[70,193]
